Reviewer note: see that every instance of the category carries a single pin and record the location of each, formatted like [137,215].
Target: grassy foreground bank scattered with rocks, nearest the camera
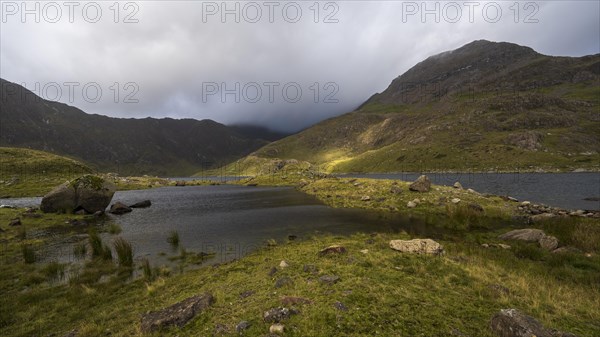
[380,291]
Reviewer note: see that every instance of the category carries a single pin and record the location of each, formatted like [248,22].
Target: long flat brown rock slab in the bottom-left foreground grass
[178,314]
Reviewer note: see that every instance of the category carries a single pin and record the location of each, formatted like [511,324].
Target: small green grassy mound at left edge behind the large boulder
[25,172]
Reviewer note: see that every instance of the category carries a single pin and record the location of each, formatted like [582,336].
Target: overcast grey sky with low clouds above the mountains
[174,59]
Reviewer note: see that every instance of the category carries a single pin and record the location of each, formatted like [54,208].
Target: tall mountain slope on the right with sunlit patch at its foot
[484,106]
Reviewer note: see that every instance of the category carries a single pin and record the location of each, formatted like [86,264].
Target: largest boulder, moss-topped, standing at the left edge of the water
[89,193]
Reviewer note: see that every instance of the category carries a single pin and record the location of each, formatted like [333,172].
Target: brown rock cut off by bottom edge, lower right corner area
[513,323]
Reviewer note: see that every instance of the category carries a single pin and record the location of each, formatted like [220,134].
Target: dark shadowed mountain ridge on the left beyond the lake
[130,146]
